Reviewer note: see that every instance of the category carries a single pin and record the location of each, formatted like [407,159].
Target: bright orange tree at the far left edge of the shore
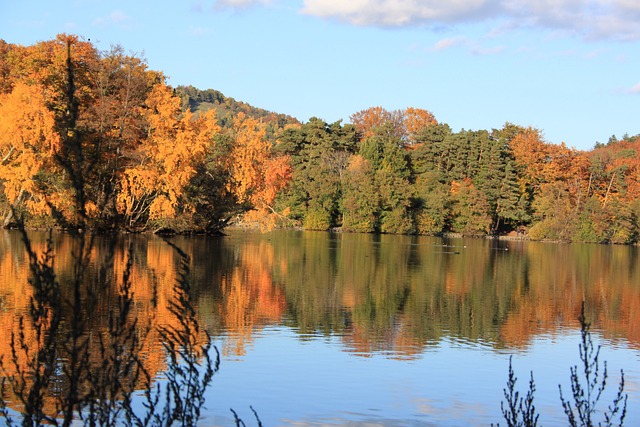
[41,72]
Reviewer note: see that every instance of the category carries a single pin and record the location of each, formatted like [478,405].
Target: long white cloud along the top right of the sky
[589,19]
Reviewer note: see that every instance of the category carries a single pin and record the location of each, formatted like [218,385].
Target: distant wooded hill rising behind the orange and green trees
[226,107]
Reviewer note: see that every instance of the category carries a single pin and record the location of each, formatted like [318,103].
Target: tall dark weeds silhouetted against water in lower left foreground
[101,372]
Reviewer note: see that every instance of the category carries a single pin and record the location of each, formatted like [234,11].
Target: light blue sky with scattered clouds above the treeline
[570,68]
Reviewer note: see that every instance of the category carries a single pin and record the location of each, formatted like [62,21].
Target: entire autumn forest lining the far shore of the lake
[151,157]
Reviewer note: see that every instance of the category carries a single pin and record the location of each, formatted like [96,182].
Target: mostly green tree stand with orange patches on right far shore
[381,175]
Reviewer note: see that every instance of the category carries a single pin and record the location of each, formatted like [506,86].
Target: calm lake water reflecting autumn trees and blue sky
[349,329]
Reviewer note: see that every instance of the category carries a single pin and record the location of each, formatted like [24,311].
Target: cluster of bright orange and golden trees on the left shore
[74,117]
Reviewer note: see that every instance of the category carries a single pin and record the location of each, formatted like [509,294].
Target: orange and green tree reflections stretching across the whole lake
[395,297]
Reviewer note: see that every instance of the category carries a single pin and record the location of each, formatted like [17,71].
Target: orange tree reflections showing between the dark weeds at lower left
[153,276]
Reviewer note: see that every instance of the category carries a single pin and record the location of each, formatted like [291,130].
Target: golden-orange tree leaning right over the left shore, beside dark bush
[152,188]
